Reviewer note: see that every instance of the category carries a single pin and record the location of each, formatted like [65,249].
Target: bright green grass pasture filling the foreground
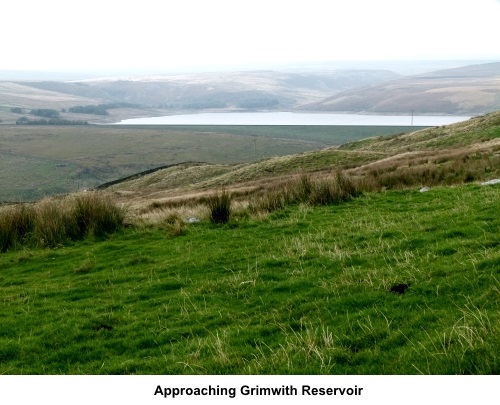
[305,291]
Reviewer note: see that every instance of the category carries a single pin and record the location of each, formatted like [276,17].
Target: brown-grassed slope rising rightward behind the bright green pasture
[454,154]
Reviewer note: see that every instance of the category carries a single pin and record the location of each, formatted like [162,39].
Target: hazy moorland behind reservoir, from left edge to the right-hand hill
[143,96]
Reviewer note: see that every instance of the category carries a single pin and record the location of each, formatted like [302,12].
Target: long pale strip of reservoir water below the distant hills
[289,118]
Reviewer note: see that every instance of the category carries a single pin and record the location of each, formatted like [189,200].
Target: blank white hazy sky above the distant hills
[173,34]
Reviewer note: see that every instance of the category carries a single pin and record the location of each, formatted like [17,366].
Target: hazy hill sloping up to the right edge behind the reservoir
[468,90]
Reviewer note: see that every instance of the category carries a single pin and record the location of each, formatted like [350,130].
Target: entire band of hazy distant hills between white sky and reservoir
[468,90]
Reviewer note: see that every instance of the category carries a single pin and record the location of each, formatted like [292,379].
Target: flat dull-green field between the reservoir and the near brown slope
[37,161]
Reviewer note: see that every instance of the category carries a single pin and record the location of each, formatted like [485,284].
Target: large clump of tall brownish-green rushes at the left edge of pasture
[52,222]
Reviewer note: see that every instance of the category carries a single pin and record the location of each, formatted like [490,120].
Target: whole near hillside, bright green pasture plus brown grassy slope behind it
[388,280]
